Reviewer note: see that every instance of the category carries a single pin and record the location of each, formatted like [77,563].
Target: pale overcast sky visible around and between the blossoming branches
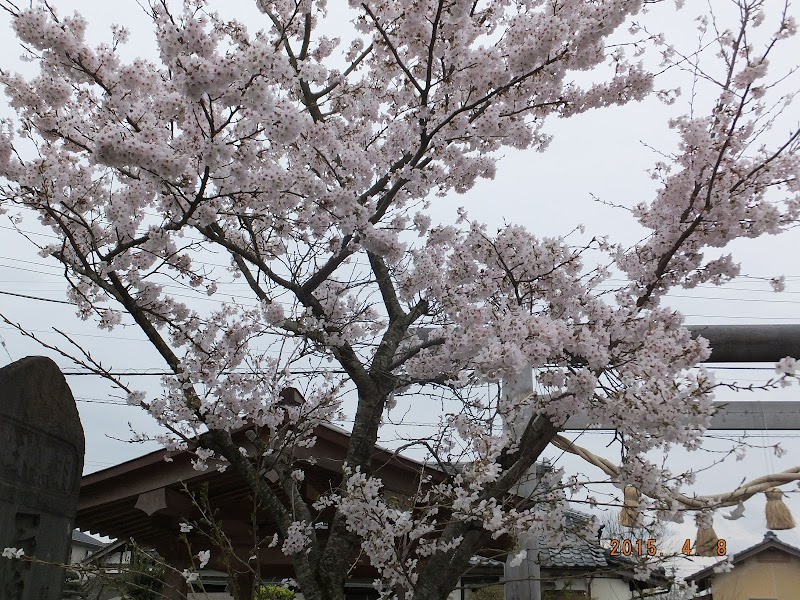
[600,154]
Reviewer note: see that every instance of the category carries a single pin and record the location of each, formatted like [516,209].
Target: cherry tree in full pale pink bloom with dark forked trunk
[311,163]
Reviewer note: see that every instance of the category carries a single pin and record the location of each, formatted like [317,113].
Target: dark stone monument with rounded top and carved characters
[41,461]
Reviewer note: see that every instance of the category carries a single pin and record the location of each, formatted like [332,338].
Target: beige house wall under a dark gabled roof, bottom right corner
[770,574]
